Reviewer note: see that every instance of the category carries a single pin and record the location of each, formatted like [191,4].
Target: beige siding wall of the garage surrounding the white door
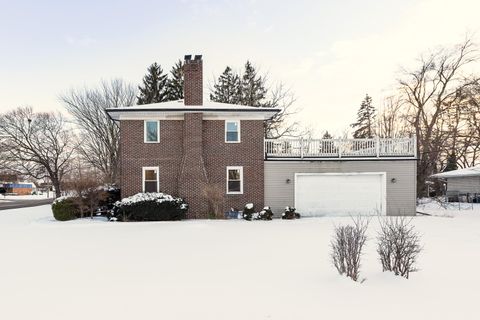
[401,195]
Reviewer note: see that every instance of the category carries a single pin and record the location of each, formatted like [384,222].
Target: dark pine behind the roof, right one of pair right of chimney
[252,87]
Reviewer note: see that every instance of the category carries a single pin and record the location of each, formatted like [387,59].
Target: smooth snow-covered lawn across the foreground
[226,270]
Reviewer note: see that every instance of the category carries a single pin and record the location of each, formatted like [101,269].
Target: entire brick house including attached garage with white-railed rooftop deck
[183,147]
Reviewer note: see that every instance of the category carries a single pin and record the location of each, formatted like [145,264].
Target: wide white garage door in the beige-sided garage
[320,194]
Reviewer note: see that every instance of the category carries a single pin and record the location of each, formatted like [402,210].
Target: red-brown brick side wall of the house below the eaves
[202,137]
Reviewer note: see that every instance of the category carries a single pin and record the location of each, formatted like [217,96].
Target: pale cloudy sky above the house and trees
[329,52]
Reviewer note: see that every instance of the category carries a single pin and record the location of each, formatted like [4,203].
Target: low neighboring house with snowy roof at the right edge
[462,183]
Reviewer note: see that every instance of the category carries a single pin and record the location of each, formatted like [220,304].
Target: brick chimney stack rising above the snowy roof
[193,85]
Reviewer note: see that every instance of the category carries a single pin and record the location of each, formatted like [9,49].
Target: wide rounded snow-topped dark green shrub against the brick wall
[150,207]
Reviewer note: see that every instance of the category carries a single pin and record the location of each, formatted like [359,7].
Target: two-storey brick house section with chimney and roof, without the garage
[181,147]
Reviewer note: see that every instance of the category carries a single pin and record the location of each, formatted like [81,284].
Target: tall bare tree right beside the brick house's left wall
[100,136]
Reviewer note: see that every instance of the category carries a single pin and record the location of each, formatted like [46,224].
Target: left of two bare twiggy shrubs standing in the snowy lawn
[347,245]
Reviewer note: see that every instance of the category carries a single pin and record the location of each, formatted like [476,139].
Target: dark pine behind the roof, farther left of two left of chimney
[154,86]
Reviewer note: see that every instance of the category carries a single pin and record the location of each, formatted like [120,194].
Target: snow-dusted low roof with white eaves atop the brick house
[176,109]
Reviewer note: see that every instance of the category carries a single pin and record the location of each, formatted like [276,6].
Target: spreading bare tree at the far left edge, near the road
[38,145]
